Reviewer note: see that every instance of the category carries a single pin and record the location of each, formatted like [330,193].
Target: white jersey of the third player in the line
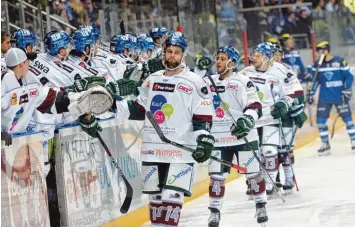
[282,89]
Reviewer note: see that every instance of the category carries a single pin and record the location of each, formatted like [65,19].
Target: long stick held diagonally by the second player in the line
[246,140]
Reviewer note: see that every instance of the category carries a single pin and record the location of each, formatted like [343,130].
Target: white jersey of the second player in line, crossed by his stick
[239,95]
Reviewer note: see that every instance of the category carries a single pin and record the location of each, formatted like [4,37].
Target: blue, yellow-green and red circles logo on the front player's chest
[161,109]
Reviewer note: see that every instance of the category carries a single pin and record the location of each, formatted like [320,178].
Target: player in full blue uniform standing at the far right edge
[335,81]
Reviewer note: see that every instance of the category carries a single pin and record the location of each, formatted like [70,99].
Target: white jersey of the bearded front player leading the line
[177,102]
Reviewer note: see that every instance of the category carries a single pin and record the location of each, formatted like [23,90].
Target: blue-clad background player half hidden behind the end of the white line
[293,57]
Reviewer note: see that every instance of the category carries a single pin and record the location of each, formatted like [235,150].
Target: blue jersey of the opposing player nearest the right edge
[333,76]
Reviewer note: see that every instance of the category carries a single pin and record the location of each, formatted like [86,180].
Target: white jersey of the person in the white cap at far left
[21,98]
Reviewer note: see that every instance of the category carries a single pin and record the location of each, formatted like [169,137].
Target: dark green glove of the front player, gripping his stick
[204,148]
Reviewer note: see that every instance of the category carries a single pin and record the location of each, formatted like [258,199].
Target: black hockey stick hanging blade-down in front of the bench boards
[129,190]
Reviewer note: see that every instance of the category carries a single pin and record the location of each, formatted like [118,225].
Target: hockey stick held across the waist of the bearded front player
[162,137]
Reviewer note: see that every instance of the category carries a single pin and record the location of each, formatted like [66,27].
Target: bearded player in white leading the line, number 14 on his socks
[181,104]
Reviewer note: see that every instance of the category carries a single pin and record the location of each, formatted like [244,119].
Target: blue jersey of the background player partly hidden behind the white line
[293,58]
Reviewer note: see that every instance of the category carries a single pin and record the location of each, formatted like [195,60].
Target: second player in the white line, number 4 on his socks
[238,93]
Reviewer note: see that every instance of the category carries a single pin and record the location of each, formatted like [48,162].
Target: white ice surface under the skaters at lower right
[326,196]
